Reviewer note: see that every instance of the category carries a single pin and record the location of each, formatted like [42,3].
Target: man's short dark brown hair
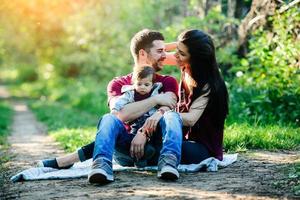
[143,40]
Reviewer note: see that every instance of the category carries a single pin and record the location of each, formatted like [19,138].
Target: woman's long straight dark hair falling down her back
[205,70]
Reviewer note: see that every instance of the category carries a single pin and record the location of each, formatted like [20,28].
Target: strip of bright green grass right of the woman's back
[240,137]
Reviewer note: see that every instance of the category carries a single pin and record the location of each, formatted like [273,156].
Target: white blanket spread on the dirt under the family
[82,169]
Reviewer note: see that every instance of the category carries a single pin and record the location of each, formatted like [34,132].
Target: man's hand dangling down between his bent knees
[138,144]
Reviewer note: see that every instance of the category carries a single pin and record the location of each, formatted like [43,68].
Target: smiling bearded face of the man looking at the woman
[156,55]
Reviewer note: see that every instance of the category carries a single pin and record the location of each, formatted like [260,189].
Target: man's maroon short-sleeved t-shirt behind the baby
[114,87]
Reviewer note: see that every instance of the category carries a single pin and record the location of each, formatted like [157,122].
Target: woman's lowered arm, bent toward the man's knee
[196,110]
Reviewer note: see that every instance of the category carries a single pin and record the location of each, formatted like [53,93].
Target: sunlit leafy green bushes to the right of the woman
[267,84]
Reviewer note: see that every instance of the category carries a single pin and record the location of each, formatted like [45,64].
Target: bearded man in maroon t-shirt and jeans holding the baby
[147,47]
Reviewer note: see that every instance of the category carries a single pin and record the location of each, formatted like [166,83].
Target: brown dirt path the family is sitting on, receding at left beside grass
[252,177]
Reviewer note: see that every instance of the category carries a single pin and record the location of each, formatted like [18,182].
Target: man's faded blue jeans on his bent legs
[112,133]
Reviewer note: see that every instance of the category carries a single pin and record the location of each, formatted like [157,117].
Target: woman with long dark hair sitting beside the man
[203,102]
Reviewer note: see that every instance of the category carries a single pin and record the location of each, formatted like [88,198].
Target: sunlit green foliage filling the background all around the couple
[66,51]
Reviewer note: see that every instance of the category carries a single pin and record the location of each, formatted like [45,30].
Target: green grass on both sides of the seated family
[74,128]
